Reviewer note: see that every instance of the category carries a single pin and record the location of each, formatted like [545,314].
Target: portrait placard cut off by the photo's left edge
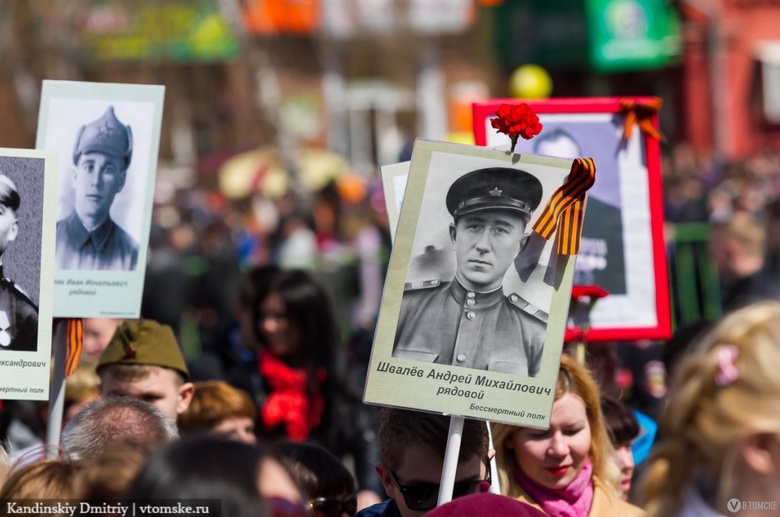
[28,188]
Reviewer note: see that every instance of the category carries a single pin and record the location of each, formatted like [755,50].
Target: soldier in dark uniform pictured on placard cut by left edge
[18,313]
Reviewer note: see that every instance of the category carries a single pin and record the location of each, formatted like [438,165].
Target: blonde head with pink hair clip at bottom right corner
[721,424]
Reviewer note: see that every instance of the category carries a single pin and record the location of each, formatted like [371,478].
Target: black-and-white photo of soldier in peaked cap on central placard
[463,302]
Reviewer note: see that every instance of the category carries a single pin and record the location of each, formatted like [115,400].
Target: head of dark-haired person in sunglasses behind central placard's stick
[412,446]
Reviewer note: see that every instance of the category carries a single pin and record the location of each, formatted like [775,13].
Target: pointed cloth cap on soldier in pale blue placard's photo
[105,135]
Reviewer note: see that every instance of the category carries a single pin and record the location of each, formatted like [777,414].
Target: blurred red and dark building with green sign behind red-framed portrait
[715,63]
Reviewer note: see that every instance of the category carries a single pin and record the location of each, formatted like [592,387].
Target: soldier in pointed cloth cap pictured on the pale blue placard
[88,238]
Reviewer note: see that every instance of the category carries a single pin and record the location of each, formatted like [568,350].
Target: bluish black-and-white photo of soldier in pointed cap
[98,223]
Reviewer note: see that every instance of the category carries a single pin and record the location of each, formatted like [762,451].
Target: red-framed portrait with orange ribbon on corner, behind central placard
[622,248]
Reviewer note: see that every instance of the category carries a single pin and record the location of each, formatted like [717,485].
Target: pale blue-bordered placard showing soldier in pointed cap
[107,139]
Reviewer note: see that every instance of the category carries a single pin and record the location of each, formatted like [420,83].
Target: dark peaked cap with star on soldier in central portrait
[493,188]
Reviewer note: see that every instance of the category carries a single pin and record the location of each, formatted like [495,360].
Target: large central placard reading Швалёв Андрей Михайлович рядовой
[475,303]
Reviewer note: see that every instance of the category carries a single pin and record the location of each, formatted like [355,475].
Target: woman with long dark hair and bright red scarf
[302,366]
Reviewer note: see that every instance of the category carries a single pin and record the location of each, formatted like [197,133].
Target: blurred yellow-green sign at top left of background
[146,30]
